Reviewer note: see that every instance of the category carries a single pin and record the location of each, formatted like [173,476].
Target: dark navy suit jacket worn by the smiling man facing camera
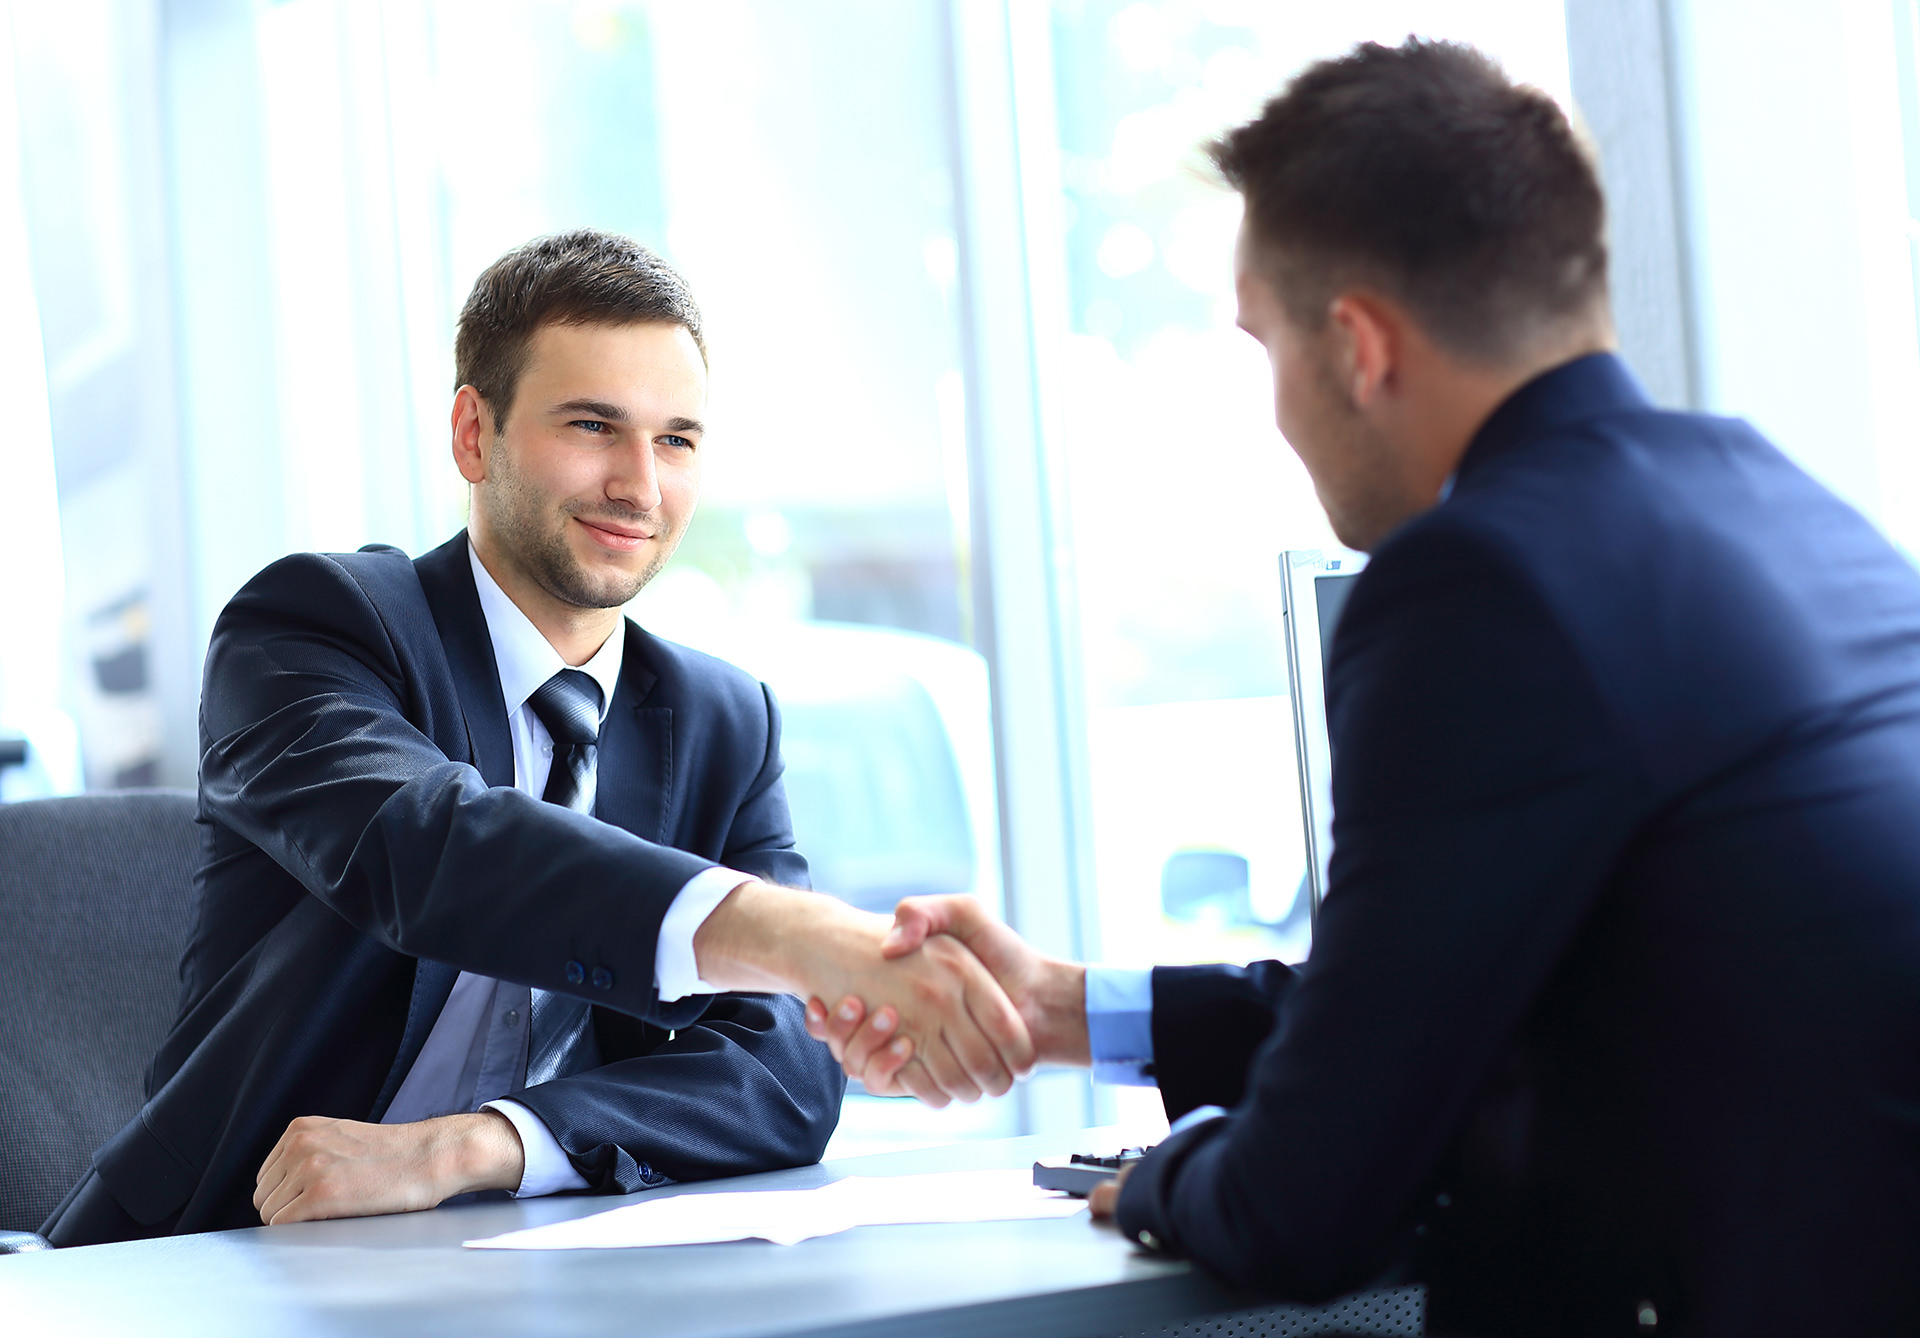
[364,844]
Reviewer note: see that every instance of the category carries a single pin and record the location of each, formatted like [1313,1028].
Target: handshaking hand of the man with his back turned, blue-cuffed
[1049,993]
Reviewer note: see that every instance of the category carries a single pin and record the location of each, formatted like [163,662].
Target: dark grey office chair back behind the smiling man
[95,899]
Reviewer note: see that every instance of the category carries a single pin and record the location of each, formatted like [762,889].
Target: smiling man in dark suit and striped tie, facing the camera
[481,855]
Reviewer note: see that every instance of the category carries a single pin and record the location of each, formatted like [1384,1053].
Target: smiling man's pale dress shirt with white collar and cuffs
[479,1045]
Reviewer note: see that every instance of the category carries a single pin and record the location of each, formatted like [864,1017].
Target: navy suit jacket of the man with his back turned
[1616,995]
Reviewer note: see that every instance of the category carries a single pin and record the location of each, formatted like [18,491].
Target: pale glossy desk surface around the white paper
[379,1278]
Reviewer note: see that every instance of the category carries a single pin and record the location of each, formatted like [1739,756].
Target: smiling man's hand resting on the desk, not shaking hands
[347,1168]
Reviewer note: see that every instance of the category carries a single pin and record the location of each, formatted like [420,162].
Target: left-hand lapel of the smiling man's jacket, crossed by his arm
[448,581]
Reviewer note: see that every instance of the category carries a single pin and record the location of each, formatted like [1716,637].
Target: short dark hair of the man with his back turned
[1426,172]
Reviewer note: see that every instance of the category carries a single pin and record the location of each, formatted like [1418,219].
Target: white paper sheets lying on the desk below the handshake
[790,1216]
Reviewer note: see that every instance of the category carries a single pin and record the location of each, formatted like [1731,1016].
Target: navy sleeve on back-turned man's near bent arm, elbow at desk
[1481,800]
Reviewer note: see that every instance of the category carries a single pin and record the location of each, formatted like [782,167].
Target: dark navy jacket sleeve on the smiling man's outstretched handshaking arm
[316,752]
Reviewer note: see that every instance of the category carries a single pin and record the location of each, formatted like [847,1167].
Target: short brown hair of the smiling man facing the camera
[581,277]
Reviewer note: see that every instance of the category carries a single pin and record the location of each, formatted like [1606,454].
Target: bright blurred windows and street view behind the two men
[994,490]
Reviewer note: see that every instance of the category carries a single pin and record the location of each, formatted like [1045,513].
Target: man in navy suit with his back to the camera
[1612,1020]
